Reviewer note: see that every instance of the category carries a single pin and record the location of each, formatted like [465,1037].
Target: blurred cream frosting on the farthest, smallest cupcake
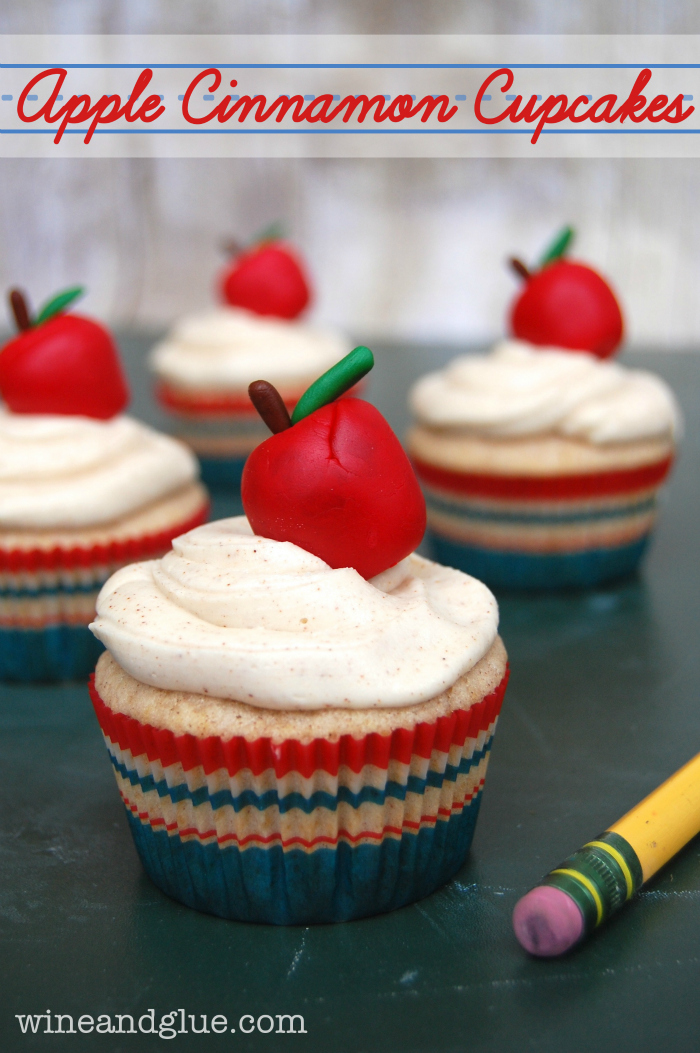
[229,348]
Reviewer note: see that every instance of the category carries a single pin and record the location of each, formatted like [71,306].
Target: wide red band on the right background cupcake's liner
[544,488]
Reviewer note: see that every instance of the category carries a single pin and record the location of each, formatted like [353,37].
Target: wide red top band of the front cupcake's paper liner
[238,754]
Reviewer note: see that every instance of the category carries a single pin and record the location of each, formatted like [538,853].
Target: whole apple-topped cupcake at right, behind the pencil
[542,462]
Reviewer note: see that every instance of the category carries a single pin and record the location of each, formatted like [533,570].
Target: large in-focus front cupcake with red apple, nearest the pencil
[296,739]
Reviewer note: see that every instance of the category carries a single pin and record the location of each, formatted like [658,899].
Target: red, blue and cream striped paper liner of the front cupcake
[297,833]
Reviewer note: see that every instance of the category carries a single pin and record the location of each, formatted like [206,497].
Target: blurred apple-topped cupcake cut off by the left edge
[84,490]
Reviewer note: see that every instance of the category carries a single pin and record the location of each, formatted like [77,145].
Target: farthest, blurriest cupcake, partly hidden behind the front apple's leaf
[205,367]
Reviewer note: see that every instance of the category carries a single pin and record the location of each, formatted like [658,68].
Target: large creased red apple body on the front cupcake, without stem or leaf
[338,485]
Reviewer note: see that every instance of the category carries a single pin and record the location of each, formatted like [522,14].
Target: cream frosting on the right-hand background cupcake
[518,390]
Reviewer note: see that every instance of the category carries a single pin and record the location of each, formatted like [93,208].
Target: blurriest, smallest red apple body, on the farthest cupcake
[267,280]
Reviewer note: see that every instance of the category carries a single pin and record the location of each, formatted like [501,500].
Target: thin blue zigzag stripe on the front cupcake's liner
[321,799]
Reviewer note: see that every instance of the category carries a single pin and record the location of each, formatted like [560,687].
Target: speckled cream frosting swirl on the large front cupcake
[233,615]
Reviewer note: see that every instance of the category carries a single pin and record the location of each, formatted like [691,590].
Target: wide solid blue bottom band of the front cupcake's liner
[294,887]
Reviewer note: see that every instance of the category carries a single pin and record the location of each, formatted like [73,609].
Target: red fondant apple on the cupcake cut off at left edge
[64,365]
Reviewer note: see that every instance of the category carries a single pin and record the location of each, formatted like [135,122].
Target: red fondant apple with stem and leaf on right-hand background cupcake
[567,305]
